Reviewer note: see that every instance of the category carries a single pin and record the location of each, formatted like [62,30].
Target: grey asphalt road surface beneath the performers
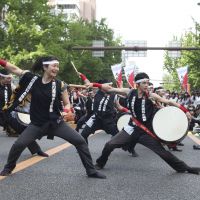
[62,176]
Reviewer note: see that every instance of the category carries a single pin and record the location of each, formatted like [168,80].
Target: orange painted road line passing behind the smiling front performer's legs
[33,160]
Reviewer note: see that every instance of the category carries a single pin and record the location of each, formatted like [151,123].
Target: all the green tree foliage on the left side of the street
[30,29]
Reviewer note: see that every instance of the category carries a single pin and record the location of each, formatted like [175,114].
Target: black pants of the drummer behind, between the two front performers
[107,124]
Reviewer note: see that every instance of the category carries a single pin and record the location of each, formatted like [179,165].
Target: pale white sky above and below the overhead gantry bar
[156,21]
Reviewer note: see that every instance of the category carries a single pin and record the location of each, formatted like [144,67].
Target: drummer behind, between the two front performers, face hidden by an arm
[104,111]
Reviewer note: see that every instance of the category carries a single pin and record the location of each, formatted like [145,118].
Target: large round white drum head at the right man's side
[170,124]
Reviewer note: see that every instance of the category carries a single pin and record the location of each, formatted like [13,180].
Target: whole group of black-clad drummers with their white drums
[129,115]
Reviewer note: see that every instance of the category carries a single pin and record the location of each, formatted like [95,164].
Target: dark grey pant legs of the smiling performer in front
[32,132]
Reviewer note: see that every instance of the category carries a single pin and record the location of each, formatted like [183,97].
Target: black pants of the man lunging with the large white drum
[122,138]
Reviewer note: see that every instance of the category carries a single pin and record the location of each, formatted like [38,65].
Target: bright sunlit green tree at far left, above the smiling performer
[31,30]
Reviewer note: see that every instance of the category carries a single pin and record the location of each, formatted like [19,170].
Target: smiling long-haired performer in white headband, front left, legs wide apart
[47,92]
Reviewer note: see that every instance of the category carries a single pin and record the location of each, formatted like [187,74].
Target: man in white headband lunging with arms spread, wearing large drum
[140,128]
